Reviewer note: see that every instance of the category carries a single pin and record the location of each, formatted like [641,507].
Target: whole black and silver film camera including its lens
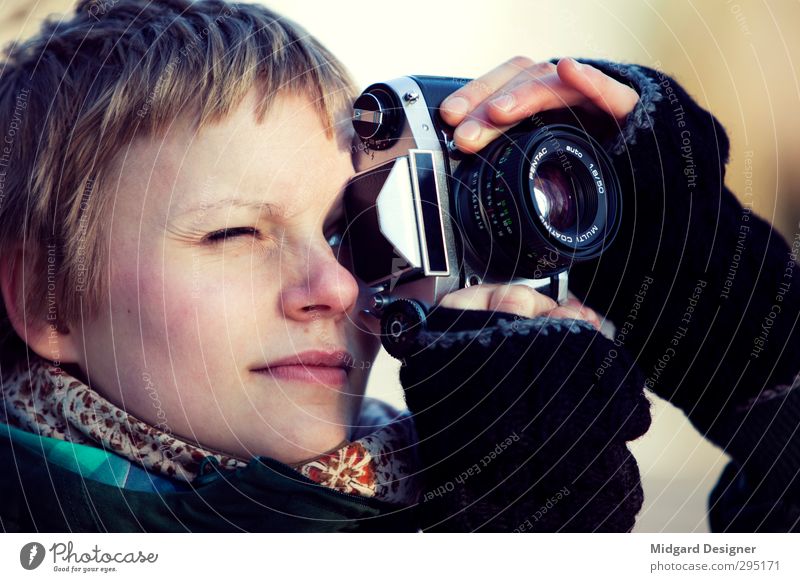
[424,219]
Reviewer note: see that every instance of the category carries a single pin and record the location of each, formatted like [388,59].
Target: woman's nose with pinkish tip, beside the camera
[319,287]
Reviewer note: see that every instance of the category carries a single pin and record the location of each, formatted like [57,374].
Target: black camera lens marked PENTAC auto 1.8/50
[532,203]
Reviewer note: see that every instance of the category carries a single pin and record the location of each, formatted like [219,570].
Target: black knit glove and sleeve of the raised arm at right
[704,294]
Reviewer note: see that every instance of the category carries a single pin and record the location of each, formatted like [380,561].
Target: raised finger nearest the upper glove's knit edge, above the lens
[607,94]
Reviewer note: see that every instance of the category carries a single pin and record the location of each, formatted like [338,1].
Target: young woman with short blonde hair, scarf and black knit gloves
[184,352]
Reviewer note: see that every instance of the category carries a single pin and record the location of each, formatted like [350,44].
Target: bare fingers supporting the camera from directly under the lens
[516,299]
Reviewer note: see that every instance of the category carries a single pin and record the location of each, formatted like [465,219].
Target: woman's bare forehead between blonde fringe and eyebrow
[287,160]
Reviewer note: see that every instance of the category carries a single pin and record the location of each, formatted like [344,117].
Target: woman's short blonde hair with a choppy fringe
[72,97]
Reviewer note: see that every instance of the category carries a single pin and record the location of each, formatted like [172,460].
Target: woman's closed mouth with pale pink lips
[328,369]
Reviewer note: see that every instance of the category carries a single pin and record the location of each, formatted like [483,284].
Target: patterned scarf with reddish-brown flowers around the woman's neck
[45,400]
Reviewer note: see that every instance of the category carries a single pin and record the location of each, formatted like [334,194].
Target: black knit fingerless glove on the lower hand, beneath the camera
[523,425]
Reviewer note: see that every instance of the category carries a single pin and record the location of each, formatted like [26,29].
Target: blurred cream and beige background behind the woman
[737,57]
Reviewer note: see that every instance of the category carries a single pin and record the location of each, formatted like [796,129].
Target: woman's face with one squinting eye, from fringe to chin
[221,265]
